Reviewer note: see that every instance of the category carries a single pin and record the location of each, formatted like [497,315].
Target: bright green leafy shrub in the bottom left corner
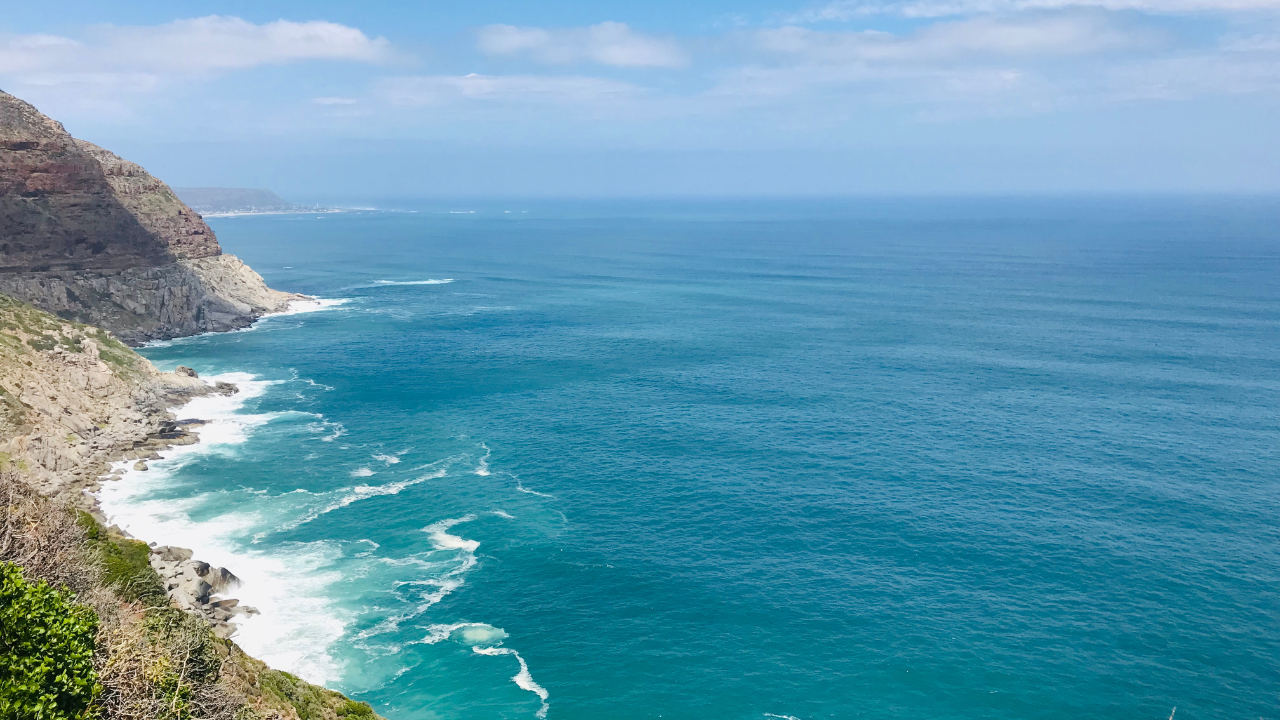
[47,651]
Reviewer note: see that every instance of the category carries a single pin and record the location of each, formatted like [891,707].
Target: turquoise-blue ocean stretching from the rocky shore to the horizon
[794,459]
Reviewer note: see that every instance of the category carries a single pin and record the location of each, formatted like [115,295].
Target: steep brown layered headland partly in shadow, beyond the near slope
[95,239]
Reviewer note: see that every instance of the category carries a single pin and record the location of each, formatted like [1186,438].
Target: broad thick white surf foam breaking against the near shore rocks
[290,586]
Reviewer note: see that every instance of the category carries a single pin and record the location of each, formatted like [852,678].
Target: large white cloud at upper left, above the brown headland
[188,48]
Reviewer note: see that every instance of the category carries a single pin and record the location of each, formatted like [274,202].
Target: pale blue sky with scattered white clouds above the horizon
[327,101]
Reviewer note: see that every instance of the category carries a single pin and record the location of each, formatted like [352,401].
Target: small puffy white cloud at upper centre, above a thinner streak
[607,44]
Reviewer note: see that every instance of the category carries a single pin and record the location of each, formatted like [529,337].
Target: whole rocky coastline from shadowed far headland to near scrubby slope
[97,256]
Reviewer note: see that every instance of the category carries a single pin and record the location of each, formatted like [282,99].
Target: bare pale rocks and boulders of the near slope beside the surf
[74,416]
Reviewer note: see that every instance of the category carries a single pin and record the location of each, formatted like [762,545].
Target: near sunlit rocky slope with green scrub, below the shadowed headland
[72,400]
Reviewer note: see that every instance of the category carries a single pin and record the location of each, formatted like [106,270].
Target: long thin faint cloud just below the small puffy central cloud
[436,90]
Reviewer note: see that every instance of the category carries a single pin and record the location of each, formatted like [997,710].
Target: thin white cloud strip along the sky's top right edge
[853,10]
